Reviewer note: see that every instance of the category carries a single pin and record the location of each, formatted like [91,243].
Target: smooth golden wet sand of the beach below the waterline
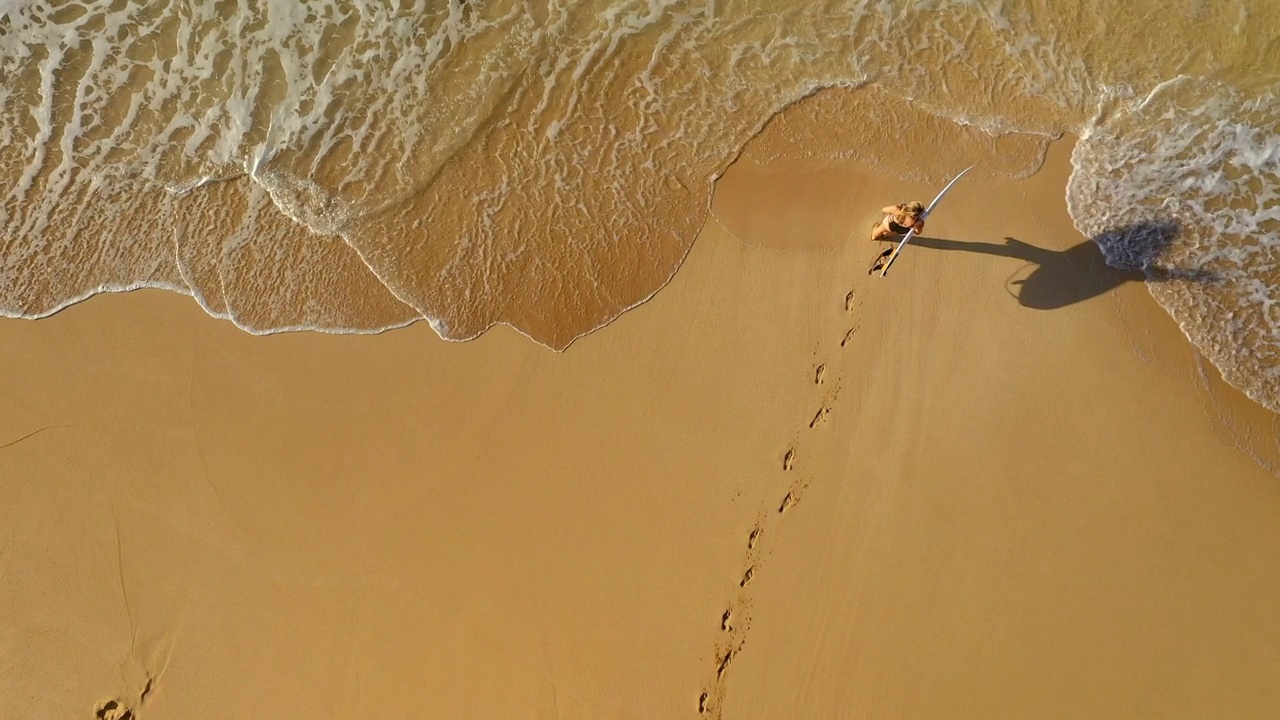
[1016,493]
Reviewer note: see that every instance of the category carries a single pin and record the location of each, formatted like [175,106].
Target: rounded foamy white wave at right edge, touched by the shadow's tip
[1185,184]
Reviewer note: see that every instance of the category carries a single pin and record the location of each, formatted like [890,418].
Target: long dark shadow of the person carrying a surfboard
[1067,277]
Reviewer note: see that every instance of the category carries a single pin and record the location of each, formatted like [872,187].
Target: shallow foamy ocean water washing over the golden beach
[354,167]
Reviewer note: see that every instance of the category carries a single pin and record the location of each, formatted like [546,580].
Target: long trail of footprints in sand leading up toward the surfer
[735,621]
